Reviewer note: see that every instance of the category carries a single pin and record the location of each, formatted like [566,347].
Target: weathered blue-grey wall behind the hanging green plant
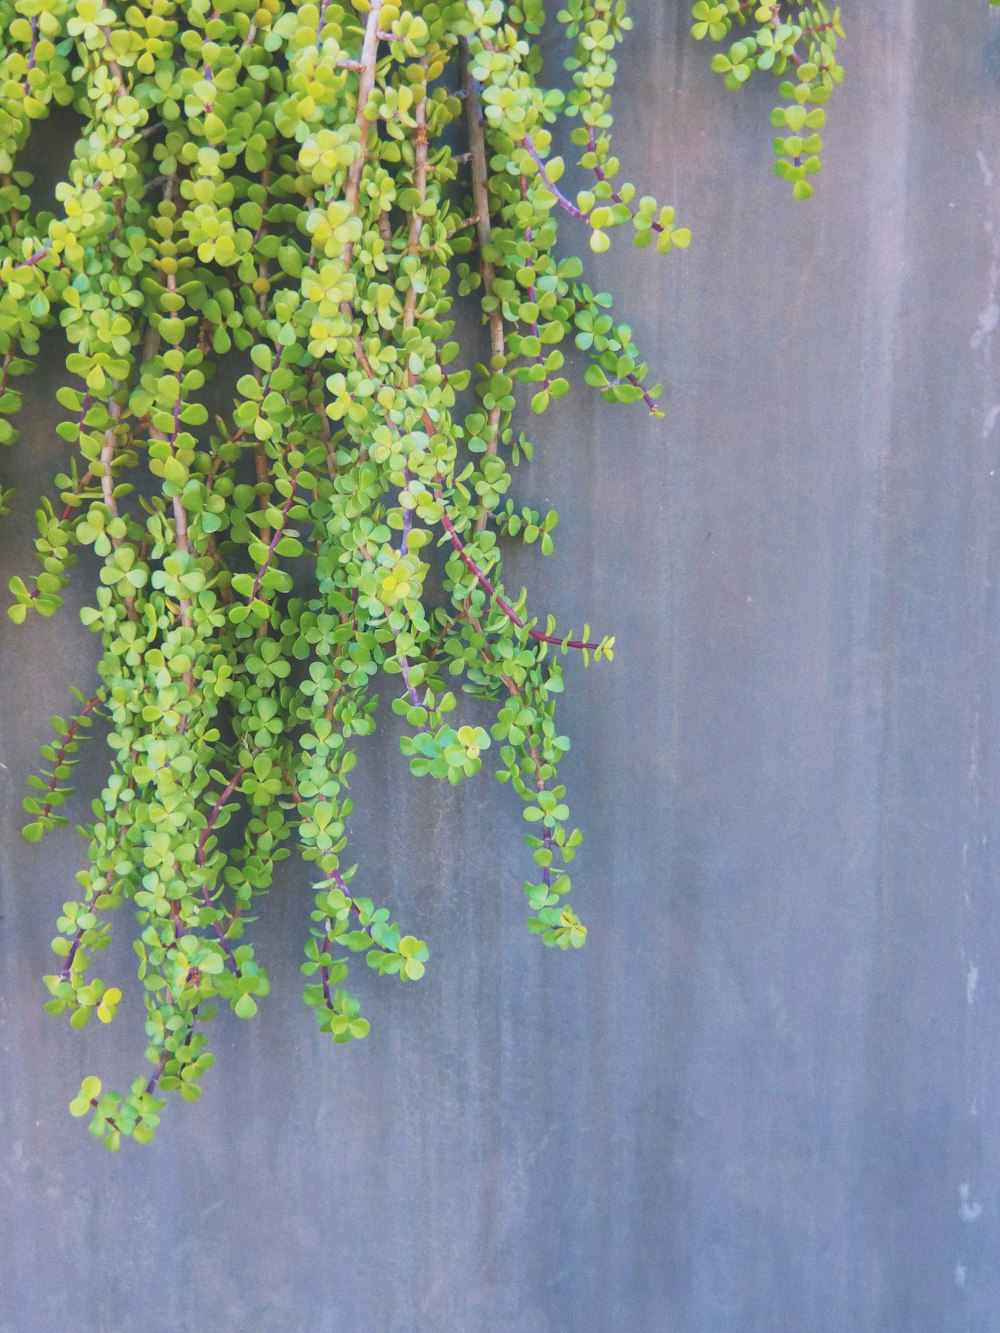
[767,1095]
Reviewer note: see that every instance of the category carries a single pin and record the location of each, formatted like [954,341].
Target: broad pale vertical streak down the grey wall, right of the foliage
[889,41]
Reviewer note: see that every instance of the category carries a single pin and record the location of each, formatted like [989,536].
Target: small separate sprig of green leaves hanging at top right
[805,46]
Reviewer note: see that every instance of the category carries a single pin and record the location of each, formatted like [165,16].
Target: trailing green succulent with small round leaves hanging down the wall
[295,487]
